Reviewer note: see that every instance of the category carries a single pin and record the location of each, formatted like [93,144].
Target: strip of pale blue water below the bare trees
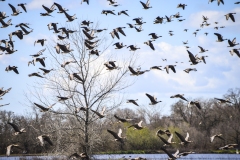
[148,156]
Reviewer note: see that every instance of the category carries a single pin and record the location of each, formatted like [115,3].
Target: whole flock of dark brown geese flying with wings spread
[91,44]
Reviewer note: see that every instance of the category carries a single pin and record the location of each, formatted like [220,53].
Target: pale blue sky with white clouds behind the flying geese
[213,79]
